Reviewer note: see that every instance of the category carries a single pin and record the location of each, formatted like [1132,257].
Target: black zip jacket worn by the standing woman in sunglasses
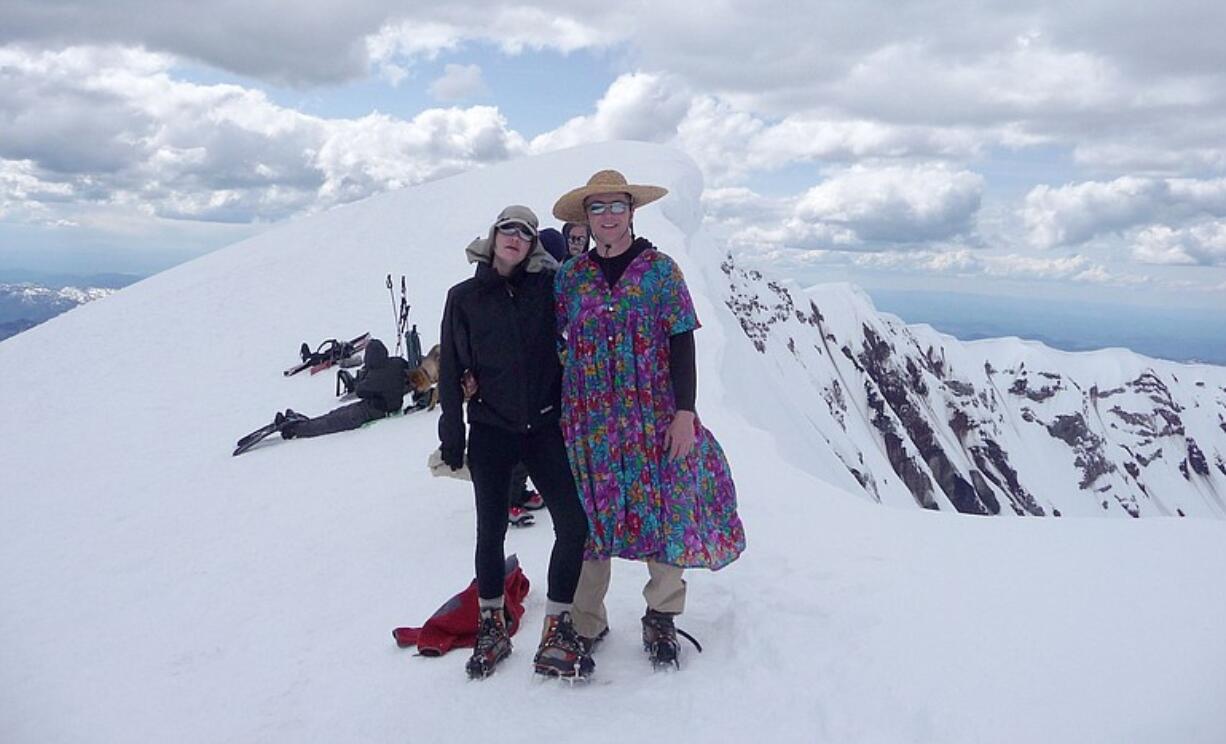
[504,332]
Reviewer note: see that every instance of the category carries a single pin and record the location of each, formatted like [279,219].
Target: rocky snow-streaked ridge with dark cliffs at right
[992,427]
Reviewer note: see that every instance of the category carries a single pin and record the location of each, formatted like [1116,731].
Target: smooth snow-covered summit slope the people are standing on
[155,589]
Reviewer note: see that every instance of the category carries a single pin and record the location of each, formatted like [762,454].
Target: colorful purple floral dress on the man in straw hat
[617,403]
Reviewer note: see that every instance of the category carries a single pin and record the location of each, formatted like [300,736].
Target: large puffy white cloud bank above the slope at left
[115,128]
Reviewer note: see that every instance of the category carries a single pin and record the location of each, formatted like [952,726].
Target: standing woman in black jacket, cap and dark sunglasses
[501,328]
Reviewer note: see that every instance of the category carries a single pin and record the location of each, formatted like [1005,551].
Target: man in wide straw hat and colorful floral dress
[654,481]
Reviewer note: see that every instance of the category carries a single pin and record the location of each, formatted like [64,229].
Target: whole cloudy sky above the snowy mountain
[1029,149]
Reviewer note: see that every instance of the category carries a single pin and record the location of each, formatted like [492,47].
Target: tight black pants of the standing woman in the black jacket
[492,454]
